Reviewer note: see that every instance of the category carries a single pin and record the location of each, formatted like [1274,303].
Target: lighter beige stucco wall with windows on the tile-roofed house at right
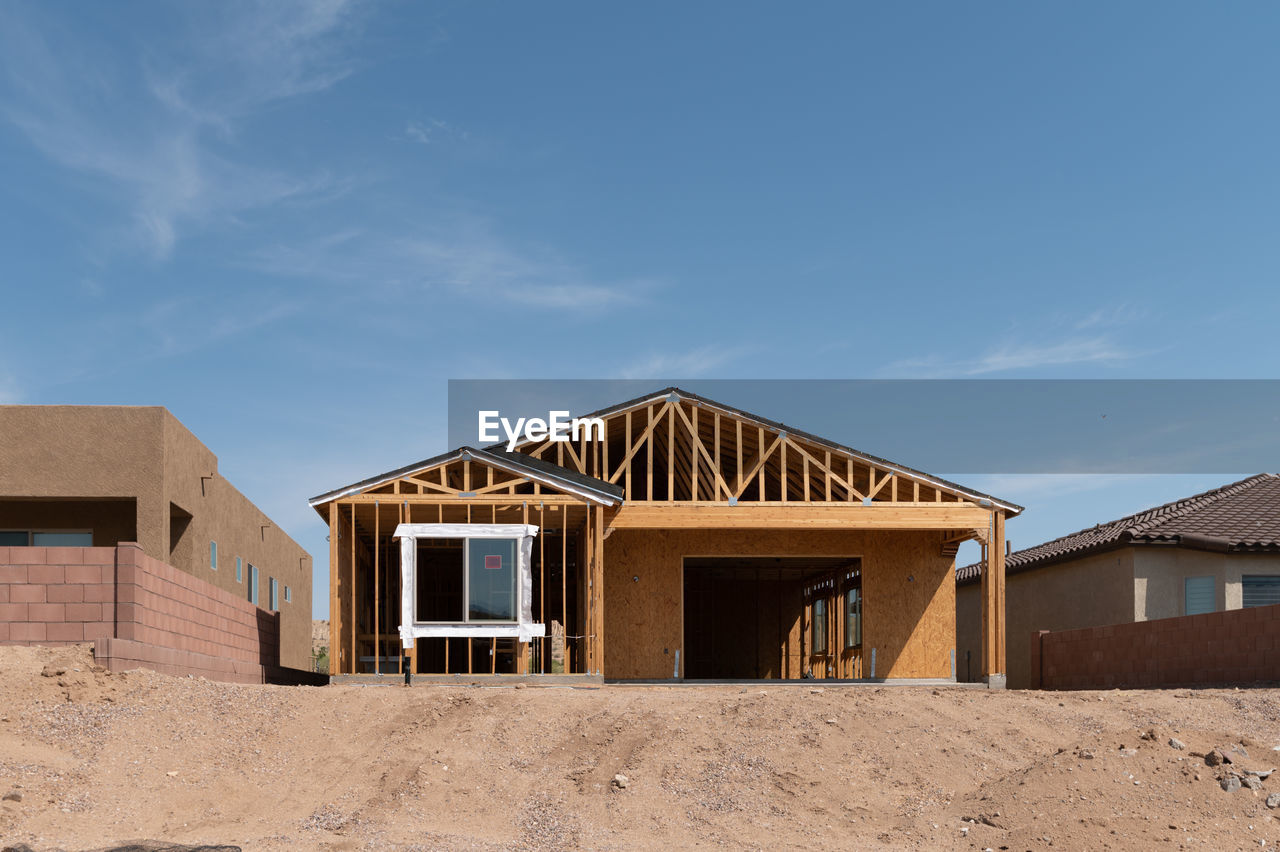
[1159,576]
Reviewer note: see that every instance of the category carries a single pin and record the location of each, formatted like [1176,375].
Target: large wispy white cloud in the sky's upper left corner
[159,135]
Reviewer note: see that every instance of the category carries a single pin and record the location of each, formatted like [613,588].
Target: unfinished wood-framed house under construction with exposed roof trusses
[680,539]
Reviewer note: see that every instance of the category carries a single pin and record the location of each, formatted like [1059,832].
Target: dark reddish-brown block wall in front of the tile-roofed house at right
[1233,647]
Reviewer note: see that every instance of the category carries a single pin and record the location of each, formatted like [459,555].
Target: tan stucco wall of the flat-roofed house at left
[51,454]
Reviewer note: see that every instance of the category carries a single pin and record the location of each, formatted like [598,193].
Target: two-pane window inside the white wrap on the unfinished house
[467,580]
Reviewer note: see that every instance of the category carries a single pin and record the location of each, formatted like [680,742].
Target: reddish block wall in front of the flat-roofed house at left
[138,611]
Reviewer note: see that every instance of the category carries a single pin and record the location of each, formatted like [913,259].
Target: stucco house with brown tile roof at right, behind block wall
[1210,552]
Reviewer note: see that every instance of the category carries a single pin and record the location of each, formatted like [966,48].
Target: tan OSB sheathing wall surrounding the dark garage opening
[908,589]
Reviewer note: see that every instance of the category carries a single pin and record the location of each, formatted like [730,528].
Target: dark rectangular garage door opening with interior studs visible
[772,617]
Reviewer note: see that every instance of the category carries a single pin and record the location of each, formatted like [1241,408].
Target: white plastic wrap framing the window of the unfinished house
[524,630]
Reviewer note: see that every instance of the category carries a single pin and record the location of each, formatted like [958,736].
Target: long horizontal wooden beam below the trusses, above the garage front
[797,516]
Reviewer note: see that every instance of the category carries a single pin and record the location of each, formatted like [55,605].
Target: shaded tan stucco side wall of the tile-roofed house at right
[1090,592]
